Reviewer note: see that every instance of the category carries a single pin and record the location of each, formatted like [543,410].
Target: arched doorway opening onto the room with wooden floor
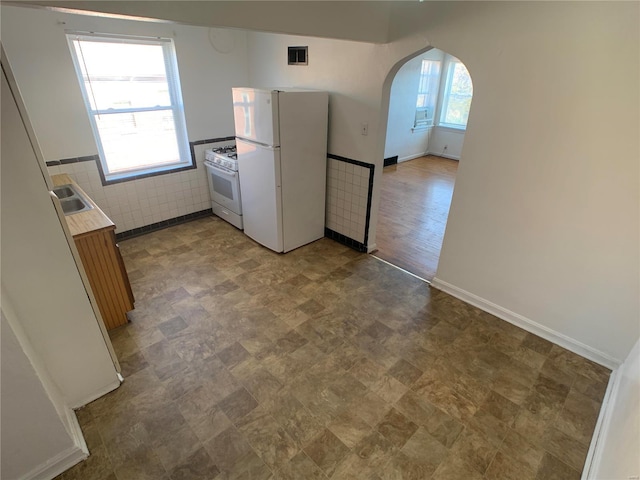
[429,102]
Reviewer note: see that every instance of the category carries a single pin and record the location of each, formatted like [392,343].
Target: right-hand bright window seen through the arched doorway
[456,100]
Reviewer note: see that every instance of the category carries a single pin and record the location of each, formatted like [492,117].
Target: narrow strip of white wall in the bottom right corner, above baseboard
[619,458]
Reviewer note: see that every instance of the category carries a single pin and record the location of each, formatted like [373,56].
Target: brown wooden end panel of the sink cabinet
[108,278]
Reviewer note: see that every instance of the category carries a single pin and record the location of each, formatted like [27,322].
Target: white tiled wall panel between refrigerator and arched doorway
[347,193]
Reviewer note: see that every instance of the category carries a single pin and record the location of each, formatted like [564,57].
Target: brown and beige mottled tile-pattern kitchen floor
[324,363]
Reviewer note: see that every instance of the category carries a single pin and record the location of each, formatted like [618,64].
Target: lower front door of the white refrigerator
[259,169]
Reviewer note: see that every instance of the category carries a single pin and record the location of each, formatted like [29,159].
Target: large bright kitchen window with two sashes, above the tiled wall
[132,93]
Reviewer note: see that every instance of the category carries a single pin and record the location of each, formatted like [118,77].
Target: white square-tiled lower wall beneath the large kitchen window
[149,200]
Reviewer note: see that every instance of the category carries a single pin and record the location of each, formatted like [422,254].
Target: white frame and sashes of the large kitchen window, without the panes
[185,161]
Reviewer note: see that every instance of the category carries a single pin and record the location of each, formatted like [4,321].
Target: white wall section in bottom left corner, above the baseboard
[32,431]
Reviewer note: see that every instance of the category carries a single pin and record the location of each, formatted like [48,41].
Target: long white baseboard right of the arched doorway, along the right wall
[529,325]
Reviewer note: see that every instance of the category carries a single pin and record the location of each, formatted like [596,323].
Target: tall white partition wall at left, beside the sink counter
[40,277]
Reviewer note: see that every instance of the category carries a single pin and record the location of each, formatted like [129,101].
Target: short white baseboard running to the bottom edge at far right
[596,448]
